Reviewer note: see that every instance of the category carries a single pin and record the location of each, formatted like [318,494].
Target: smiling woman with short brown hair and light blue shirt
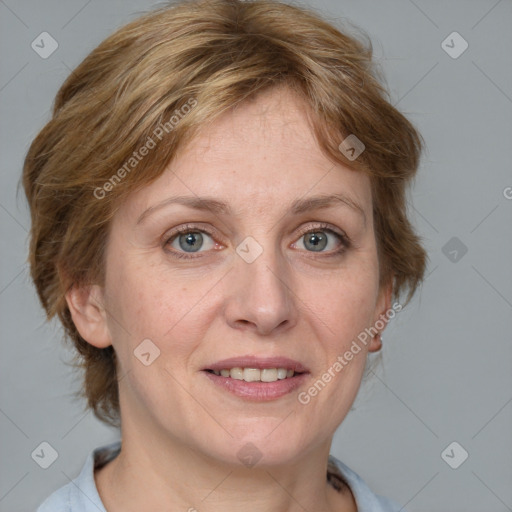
[219,221]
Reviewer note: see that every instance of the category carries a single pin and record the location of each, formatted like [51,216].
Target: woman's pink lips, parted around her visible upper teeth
[258,391]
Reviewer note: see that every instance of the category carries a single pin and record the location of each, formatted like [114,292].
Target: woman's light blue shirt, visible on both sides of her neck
[81,495]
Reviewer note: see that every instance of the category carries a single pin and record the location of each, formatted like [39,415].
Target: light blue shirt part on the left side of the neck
[81,494]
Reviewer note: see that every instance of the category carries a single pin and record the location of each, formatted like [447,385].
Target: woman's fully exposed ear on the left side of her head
[86,305]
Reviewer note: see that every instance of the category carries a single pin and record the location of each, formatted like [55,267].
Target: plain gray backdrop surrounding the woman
[447,360]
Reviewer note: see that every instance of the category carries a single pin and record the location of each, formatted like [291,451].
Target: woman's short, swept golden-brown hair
[213,54]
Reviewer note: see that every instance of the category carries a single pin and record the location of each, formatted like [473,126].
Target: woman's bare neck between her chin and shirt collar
[192,481]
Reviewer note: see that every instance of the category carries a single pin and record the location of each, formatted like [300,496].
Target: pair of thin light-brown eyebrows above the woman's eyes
[298,206]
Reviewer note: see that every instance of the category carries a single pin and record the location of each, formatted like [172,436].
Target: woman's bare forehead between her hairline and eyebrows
[258,156]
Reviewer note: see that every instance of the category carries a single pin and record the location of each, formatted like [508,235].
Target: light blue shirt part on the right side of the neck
[366,499]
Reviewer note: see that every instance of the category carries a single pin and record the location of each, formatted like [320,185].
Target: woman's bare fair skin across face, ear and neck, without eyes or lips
[181,433]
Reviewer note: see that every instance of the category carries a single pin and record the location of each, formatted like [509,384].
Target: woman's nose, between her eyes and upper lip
[261,297]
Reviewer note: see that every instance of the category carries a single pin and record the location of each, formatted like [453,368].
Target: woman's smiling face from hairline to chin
[242,281]
